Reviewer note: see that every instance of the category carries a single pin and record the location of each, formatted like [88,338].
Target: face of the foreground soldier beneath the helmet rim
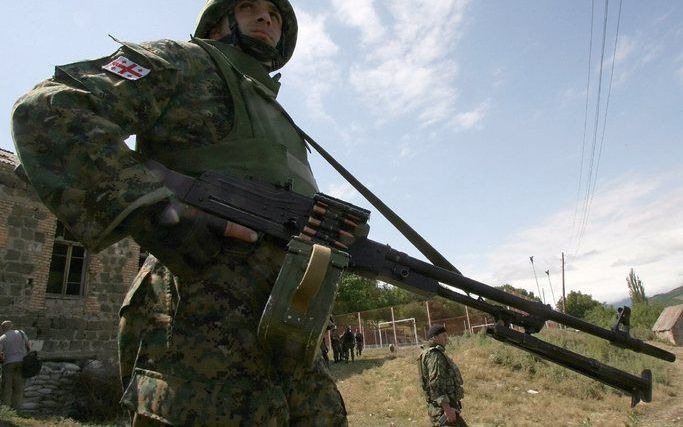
[259,19]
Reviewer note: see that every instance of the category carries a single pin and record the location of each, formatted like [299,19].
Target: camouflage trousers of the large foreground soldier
[189,352]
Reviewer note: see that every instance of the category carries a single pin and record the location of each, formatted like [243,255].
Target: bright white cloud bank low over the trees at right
[636,222]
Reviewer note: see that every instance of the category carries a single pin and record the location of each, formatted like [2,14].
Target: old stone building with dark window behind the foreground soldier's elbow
[64,297]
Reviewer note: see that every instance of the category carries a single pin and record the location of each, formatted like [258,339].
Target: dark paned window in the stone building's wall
[68,264]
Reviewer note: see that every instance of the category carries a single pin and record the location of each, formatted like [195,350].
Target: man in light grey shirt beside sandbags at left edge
[13,346]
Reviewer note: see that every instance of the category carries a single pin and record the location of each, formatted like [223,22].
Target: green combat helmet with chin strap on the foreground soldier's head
[215,10]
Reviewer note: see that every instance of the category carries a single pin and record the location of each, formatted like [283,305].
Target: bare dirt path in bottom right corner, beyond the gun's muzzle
[666,408]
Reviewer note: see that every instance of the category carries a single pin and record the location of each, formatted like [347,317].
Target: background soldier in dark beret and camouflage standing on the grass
[441,380]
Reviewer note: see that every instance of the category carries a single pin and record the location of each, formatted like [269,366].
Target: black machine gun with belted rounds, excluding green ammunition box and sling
[324,220]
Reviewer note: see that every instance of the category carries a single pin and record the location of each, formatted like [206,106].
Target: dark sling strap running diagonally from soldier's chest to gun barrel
[408,232]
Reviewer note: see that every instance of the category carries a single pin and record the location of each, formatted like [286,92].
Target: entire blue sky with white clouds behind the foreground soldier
[466,117]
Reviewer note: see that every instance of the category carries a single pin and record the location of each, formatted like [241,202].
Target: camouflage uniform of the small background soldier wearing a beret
[441,381]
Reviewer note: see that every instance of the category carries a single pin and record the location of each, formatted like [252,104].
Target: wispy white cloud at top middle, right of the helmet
[407,69]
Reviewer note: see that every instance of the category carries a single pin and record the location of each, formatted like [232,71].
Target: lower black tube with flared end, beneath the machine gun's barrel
[639,388]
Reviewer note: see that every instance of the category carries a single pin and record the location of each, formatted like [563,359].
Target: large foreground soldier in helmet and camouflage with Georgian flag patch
[188,345]
